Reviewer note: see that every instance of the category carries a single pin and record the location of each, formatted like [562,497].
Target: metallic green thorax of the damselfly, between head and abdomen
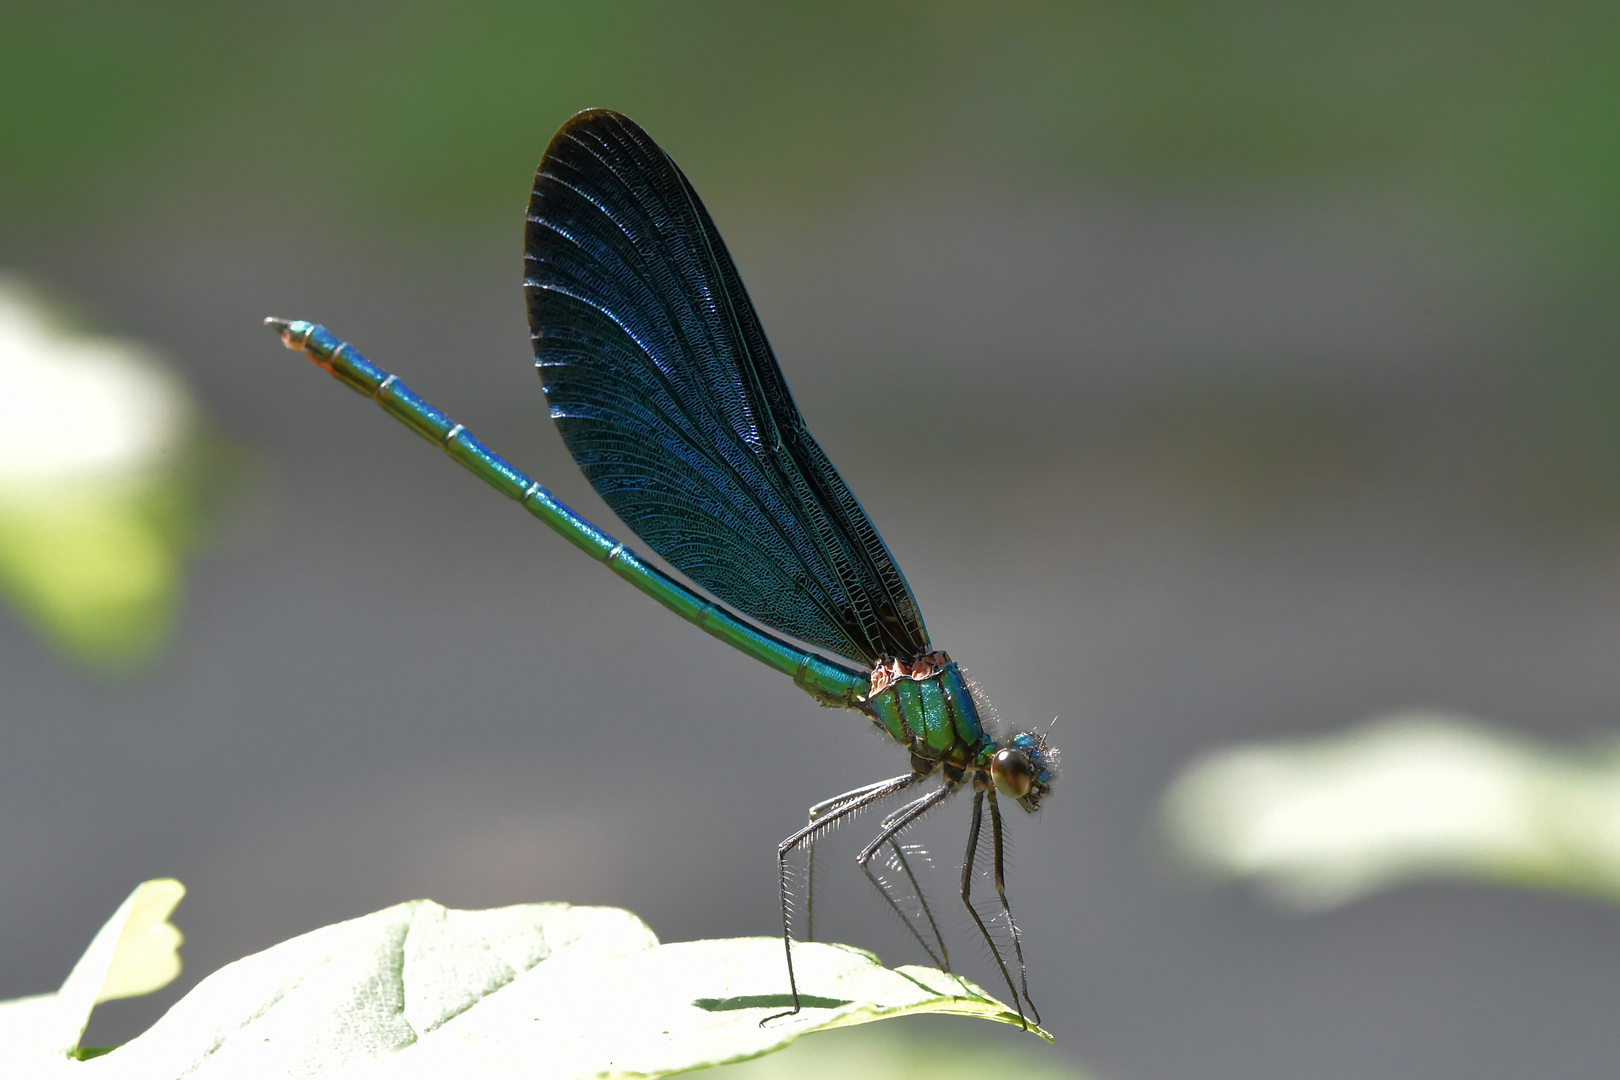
[929,708]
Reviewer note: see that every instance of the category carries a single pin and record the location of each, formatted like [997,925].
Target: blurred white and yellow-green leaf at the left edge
[103,469]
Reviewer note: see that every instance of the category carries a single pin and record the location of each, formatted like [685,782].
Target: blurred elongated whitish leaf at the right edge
[1321,822]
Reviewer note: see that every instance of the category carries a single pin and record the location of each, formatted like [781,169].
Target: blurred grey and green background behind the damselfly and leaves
[1213,373]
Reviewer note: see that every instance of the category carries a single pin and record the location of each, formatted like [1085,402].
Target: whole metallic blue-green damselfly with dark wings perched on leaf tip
[668,396]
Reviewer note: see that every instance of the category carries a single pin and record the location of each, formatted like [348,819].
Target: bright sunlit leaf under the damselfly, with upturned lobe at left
[539,990]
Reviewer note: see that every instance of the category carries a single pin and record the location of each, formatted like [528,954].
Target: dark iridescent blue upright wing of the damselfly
[671,401]
